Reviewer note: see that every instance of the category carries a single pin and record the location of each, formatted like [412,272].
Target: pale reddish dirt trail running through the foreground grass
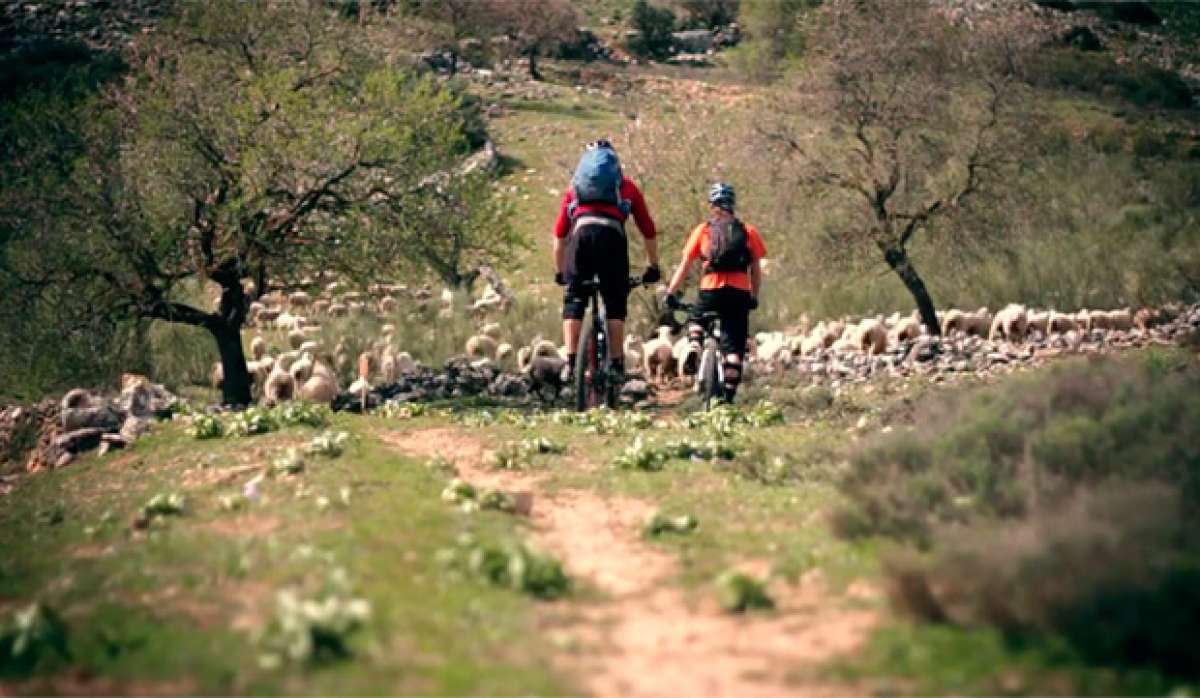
[649,637]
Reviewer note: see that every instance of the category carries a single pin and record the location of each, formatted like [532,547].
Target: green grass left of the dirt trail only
[167,600]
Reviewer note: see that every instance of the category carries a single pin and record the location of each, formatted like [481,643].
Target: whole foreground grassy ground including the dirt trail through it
[189,604]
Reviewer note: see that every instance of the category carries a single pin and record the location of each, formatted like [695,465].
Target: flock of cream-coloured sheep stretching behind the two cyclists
[310,371]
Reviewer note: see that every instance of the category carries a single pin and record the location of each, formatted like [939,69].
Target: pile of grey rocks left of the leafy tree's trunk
[86,420]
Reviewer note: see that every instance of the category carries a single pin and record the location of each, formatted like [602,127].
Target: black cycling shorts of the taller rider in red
[597,251]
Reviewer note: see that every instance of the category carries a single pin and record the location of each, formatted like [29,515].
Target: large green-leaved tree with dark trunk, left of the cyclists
[251,143]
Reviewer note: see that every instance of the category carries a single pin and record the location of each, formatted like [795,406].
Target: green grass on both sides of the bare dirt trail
[175,609]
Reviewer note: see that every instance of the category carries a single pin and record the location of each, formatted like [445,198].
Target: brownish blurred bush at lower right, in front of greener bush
[1117,573]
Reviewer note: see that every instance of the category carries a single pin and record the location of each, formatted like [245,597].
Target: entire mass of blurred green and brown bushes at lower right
[1054,507]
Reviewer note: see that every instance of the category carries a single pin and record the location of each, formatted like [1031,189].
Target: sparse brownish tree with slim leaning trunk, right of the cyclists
[898,119]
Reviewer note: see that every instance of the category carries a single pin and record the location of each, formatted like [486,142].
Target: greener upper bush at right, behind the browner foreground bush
[1029,443]
